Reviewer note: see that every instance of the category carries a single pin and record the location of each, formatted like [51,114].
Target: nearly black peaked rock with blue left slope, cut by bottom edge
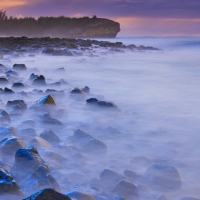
[48,194]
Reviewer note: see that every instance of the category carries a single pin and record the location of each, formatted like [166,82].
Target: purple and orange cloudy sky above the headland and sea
[136,17]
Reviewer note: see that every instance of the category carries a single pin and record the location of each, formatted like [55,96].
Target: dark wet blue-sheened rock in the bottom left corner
[8,185]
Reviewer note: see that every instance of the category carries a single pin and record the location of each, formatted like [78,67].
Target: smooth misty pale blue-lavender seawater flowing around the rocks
[159,94]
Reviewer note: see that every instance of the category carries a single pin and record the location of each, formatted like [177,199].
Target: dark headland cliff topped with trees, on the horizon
[62,27]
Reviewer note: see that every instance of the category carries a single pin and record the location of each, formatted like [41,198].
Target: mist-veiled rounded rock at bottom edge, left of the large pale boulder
[126,189]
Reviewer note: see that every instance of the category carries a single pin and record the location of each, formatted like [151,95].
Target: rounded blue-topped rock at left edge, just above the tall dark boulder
[10,145]
